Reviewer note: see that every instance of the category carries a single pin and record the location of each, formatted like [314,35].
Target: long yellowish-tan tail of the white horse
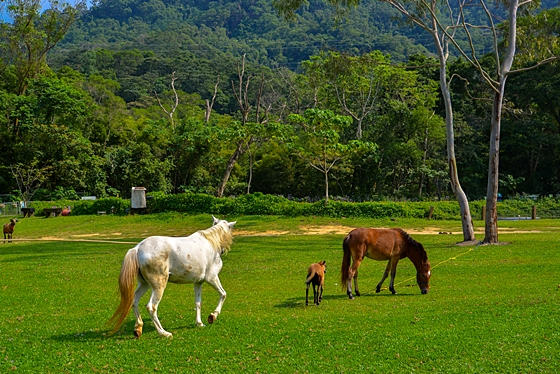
[127,283]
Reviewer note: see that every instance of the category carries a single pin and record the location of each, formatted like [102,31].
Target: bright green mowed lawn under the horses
[490,308]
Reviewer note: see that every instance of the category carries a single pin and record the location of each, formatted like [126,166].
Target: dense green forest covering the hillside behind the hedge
[227,97]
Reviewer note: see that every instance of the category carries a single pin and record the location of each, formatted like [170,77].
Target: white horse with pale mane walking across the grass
[160,259]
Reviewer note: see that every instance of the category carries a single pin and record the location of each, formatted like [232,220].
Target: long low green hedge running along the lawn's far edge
[260,204]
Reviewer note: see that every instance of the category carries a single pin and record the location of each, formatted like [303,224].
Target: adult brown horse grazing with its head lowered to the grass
[381,245]
